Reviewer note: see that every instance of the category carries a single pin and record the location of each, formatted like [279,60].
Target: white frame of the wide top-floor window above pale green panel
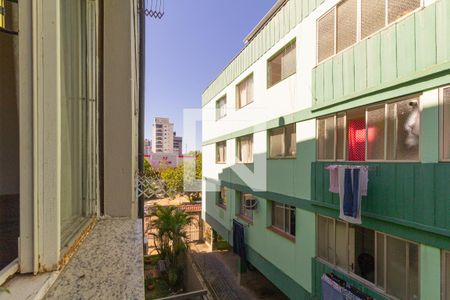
[358,26]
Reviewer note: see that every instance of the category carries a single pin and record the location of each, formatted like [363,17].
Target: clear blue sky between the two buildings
[189,47]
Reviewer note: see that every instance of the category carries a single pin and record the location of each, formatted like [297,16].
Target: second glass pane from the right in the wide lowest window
[396,267]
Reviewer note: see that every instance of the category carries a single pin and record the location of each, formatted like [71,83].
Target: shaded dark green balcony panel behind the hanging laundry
[411,194]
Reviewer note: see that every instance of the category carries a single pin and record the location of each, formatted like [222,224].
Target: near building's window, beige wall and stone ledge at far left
[69,127]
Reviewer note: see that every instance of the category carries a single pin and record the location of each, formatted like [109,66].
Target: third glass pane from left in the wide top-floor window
[373,16]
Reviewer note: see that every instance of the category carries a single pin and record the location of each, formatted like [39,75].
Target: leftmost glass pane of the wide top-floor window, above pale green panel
[325,44]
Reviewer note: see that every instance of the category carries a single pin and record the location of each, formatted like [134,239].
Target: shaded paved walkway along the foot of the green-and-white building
[219,269]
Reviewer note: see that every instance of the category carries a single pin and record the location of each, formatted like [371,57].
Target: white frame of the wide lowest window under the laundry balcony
[348,271]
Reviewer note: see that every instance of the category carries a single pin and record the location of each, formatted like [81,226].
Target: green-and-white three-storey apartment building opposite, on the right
[328,83]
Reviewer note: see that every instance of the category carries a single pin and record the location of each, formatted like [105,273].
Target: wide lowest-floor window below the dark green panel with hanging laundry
[390,263]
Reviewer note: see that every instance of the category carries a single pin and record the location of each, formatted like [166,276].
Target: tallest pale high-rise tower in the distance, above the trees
[162,136]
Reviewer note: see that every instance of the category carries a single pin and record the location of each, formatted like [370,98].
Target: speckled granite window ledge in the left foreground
[108,265]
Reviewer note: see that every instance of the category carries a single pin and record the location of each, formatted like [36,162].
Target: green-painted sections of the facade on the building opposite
[407,200]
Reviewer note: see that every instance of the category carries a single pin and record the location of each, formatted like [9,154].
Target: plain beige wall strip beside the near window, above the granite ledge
[120,108]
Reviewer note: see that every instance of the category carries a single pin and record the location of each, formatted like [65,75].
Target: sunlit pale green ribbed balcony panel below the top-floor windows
[416,47]
